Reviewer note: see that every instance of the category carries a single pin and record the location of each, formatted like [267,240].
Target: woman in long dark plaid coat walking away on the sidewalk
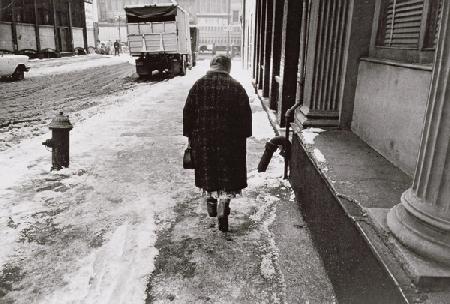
[217,120]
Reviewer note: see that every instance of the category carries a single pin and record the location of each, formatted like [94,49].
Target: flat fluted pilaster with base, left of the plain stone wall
[326,46]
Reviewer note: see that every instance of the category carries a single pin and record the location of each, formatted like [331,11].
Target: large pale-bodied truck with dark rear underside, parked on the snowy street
[159,36]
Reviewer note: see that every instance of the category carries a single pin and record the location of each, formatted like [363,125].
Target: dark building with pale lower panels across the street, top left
[33,27]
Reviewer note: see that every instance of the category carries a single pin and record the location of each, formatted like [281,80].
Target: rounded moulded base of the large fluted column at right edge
[419,234]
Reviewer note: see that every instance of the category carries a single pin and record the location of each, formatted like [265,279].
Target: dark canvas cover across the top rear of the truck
[151,13]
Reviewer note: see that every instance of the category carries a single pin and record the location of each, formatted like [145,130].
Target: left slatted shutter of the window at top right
[402,23]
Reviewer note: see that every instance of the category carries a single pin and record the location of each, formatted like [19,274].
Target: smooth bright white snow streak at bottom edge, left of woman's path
[117,272]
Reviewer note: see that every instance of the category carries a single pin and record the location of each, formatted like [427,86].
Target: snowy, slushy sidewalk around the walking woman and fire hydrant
[92,233]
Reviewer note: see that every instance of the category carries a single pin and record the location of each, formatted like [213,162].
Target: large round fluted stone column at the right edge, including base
[422,220]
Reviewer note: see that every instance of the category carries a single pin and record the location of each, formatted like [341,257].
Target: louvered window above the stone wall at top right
[407,30]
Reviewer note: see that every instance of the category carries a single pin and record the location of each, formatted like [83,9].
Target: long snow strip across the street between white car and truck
[68,64]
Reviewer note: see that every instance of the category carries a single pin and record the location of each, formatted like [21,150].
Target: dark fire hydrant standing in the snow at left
[59,143]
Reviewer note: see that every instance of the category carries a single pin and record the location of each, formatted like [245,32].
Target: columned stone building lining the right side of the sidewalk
[374,75]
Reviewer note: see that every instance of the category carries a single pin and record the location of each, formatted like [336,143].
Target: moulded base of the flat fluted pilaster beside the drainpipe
[308,118]
